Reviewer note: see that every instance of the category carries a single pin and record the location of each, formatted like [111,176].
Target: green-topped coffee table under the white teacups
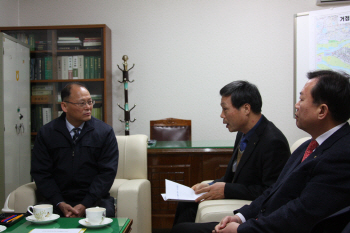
[119,225]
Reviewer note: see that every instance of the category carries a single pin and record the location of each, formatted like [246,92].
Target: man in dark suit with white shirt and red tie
[315,183]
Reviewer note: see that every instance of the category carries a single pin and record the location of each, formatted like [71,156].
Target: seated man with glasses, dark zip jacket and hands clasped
[75,157]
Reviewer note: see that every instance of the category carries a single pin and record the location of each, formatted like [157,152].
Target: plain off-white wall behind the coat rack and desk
[184,51]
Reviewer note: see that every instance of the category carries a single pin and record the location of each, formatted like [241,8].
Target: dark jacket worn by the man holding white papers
[263,159]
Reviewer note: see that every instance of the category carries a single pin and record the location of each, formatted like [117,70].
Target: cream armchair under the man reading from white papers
[215,210]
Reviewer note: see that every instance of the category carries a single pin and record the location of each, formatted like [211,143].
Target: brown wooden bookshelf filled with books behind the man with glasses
[47,44]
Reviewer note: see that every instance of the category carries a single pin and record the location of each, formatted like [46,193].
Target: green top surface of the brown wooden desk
[192,144]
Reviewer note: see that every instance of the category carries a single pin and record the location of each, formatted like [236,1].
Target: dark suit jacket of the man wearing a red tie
[306,192]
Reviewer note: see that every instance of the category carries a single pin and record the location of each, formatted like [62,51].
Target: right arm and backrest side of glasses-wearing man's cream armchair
[131,188]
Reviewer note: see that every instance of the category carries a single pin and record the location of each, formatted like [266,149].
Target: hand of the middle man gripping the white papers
[214,192]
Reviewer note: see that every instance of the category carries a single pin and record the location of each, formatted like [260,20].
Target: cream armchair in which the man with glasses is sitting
[131,188]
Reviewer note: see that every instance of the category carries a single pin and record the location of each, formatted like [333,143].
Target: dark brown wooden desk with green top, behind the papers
[185,162]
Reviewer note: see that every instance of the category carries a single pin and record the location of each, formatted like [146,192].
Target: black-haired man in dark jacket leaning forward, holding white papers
[260,151]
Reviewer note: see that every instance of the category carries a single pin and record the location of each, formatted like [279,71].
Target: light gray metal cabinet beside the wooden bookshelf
[14,115]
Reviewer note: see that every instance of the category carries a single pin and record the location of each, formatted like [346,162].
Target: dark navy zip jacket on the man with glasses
[77,173]
